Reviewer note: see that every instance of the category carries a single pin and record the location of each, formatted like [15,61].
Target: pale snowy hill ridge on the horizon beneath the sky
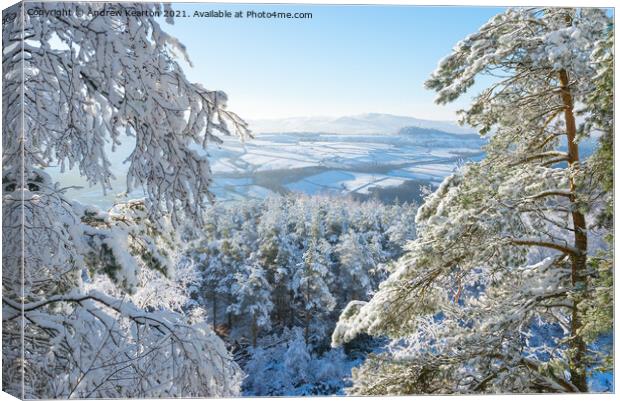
[369,123]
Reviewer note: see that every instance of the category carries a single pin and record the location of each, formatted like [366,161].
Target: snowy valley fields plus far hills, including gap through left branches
[383,157]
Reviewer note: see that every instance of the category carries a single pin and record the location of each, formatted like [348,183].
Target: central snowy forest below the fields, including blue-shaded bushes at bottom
[273,265]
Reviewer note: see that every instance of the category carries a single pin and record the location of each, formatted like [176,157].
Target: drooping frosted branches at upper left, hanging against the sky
[94,79]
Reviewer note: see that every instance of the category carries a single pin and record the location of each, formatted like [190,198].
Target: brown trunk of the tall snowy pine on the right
[578,261]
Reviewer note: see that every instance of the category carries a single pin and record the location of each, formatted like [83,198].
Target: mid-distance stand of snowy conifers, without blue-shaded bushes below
[273,234]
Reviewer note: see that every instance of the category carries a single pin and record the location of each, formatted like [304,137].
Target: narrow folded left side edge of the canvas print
[15,358]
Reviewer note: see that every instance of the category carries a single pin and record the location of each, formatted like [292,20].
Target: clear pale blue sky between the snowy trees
[345,60]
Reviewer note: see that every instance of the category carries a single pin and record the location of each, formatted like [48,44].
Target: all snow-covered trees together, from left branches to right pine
[495,278]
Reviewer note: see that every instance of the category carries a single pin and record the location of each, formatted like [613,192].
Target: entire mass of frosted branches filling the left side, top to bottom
[73,84]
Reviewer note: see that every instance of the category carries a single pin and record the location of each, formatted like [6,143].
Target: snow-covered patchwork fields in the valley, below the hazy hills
[338,163]
